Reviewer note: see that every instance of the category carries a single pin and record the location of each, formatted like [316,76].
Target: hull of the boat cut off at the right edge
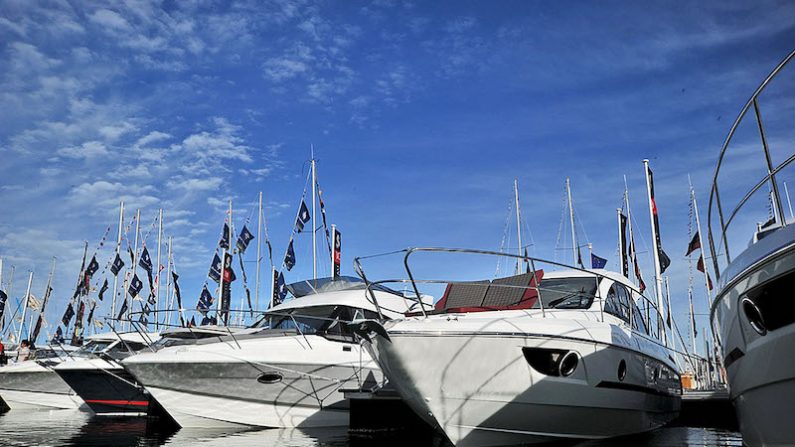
[760,367]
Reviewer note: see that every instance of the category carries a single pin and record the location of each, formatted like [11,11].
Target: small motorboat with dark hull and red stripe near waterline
[96,376]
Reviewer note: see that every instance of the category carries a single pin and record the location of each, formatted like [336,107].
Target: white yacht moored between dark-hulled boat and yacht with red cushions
[285,371]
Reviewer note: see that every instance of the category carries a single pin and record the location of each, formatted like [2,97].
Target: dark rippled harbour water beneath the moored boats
[74,428]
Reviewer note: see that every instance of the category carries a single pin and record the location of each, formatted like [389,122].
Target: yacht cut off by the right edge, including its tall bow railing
[753,311]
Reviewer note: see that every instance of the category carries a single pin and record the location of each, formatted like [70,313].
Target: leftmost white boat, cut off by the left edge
[31,384]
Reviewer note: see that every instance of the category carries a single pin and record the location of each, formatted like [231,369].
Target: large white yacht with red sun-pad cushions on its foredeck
[547,354]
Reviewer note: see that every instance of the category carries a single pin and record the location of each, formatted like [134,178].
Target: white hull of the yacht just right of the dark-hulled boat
[277,382]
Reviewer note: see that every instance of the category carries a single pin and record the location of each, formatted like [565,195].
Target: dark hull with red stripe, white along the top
[105,387]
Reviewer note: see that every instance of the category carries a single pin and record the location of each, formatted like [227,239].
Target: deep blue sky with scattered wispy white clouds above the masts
[421,115]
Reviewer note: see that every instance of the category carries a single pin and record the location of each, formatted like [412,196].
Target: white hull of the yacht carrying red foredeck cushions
[480,389]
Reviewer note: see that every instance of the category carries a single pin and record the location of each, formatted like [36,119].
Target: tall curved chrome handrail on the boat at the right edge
[714,196]
